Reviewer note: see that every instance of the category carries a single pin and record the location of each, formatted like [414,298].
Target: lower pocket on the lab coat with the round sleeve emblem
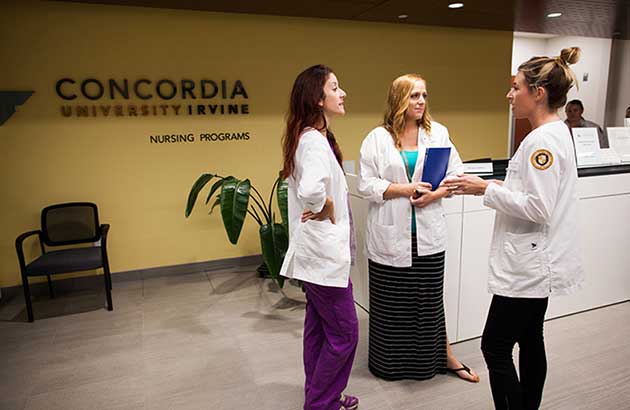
[522,253]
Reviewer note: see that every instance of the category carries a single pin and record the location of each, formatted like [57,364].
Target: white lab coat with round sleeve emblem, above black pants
[535,250]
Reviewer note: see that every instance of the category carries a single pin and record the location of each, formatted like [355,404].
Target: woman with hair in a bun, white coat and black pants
[534,251]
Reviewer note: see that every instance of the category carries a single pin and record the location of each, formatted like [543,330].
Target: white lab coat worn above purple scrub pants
[319,251]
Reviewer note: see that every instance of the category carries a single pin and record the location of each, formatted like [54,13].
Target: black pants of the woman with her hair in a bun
[510,321]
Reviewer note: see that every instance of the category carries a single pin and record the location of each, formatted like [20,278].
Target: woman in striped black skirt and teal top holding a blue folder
[406,240]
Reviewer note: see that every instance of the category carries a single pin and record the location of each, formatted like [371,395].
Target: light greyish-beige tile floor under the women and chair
[229,340]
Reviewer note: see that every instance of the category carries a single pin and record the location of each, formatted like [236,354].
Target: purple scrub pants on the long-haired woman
[331,333]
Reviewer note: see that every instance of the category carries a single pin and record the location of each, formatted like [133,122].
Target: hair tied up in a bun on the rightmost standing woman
[553,74]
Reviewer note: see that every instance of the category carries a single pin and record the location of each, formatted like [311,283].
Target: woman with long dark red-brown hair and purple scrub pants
[320,238]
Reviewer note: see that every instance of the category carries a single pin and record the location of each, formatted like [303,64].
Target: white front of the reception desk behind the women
[604,204]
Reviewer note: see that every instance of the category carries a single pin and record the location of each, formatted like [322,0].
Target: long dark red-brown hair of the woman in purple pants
[304,111]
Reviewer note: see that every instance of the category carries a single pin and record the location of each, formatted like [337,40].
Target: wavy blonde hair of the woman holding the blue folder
[397,104]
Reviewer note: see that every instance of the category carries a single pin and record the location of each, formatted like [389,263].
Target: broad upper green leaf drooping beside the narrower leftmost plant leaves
[234,199]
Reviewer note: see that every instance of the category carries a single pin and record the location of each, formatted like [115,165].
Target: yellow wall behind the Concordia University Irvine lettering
[141,187]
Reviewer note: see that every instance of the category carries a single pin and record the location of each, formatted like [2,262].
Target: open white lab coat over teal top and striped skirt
[388,236]
